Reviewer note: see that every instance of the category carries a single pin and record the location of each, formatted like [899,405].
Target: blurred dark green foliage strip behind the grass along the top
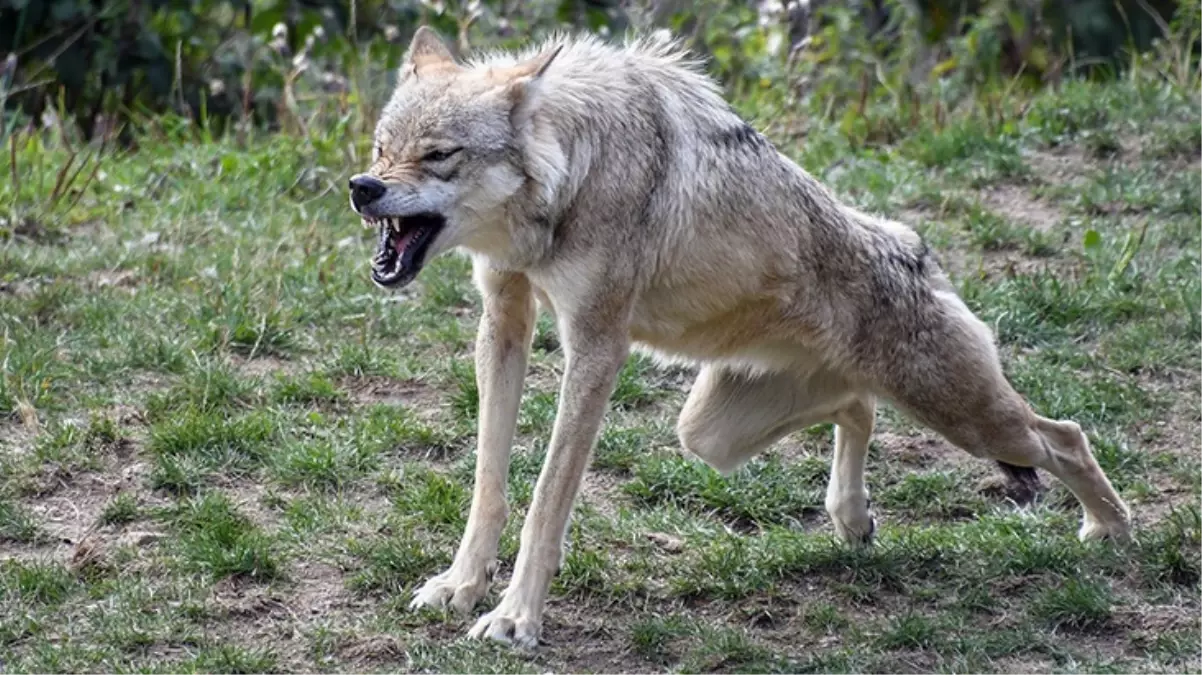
[110,68]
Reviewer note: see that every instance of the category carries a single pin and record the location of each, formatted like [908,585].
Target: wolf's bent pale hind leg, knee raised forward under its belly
[731,417]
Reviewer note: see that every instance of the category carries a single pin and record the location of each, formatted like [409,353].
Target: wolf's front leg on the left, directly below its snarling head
[503,347]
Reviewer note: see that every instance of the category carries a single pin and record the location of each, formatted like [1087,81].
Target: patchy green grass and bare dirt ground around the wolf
[224,451]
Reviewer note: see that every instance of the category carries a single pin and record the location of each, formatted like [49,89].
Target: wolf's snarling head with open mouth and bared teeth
[445,160]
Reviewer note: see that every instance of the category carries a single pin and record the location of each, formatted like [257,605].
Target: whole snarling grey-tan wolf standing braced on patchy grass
[614,187]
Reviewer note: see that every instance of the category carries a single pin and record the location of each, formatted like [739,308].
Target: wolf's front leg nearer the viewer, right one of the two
[593,362]
